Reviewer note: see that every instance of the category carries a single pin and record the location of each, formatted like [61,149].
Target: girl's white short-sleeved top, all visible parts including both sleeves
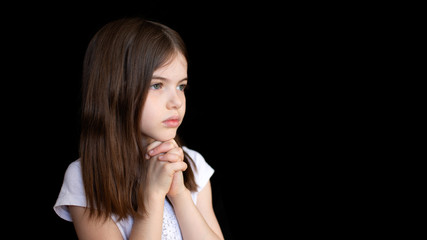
[73,193]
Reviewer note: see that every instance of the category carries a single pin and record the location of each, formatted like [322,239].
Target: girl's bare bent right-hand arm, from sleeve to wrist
[197,221]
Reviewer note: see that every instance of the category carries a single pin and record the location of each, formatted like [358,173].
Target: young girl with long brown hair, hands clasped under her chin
[133,179]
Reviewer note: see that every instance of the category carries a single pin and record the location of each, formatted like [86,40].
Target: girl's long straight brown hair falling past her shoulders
[117,71]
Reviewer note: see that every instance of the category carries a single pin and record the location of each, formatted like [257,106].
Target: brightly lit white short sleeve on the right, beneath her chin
[202,172]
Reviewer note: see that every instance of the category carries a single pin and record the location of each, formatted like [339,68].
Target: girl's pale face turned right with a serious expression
[164,107]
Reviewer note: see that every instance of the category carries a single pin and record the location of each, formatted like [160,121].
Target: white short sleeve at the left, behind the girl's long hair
[72,191]
